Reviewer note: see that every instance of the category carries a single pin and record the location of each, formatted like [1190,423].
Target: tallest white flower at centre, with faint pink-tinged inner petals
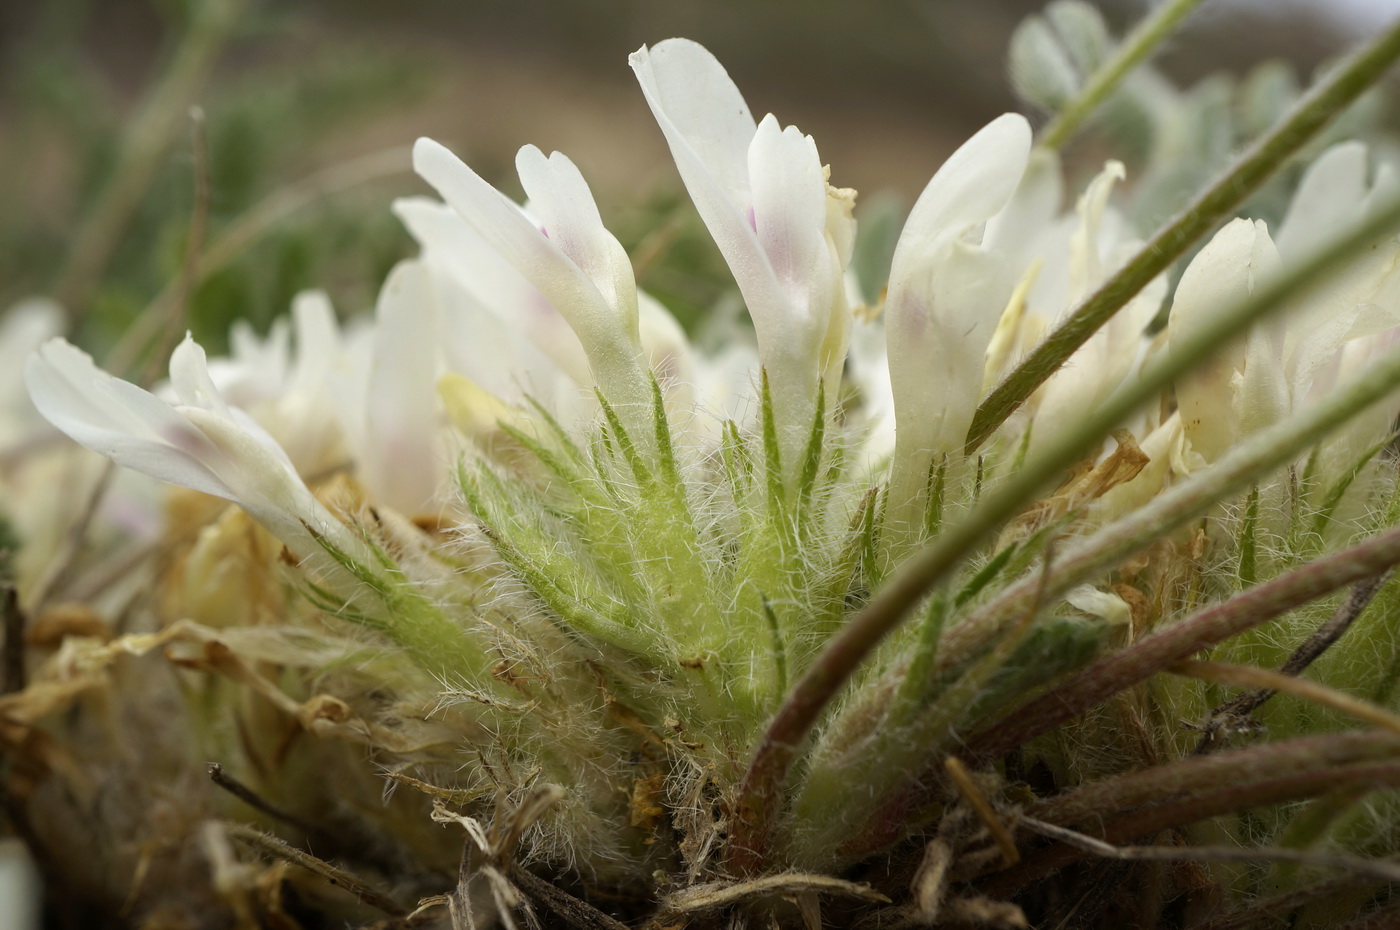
[785,232]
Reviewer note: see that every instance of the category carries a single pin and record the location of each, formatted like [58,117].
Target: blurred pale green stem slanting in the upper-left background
[143,149]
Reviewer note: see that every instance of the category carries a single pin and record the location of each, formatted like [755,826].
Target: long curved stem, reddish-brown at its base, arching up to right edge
[759,799]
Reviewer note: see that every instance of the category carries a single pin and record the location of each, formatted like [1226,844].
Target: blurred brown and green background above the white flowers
[117,201]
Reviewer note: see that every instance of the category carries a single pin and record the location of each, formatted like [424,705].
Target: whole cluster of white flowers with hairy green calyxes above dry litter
[535,547]
